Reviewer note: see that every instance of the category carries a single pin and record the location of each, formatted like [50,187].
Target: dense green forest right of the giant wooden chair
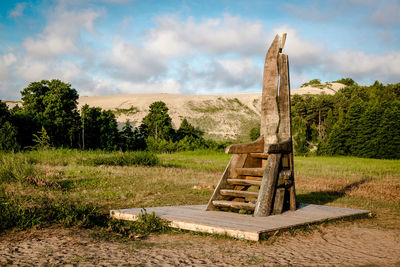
[362,121]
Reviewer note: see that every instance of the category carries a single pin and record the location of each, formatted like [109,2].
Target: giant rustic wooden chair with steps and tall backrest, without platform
[259,177]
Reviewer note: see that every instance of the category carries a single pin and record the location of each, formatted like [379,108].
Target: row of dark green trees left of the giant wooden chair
[49,117]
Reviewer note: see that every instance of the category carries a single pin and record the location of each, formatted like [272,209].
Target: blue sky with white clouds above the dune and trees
[193,47]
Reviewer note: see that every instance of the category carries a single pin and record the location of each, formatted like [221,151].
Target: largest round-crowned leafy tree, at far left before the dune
[54,104]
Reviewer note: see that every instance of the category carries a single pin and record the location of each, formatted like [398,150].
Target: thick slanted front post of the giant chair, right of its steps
[264,202]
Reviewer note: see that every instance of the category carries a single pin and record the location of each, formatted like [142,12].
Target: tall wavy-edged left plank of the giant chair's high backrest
[269,105]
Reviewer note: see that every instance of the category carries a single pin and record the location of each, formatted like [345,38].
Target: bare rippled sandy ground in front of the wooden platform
[337,245]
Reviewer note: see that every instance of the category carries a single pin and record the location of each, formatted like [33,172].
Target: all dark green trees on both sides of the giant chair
[362,121]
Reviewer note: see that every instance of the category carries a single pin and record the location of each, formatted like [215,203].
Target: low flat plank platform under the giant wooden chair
[195,218]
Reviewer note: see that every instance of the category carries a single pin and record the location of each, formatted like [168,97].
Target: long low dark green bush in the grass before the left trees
[124,159]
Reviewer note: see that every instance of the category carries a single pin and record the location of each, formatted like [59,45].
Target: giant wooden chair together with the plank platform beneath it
[259,177]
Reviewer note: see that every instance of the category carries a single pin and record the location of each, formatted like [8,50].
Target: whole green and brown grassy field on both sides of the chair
[84,186]
